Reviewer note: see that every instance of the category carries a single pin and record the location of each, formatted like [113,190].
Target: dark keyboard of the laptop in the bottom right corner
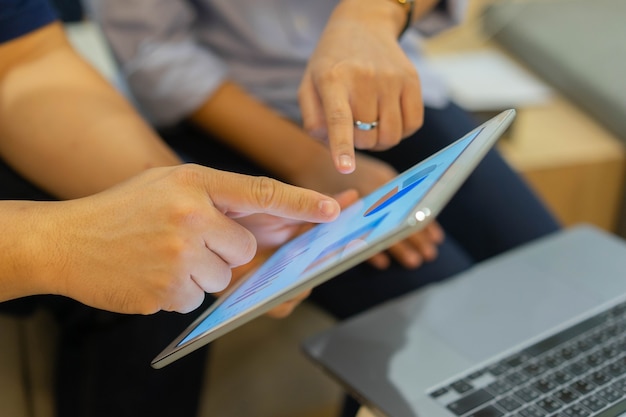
[578,372]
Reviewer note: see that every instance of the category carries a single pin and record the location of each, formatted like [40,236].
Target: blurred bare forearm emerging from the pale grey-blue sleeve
[246,124]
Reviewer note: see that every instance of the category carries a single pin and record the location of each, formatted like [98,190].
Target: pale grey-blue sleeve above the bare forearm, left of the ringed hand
[168,73]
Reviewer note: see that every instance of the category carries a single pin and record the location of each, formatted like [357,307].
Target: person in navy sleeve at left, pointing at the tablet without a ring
[137,236]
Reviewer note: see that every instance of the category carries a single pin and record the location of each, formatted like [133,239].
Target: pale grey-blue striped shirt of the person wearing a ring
[175,53]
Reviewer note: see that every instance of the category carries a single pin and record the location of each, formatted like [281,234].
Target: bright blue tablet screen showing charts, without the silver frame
[359,225]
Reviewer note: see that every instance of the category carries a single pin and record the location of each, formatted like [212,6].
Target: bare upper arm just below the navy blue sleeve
[63,126]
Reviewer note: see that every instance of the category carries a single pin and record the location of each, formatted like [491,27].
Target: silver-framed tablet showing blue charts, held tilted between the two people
[373,223]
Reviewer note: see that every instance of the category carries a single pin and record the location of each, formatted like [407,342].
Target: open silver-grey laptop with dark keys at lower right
[537,331]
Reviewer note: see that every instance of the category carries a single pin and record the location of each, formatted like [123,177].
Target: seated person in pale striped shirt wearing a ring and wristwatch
[327,95]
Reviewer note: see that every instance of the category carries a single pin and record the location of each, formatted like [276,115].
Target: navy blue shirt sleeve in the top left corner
[19,17]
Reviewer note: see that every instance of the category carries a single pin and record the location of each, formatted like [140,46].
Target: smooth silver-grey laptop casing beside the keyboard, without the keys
[393,356]
